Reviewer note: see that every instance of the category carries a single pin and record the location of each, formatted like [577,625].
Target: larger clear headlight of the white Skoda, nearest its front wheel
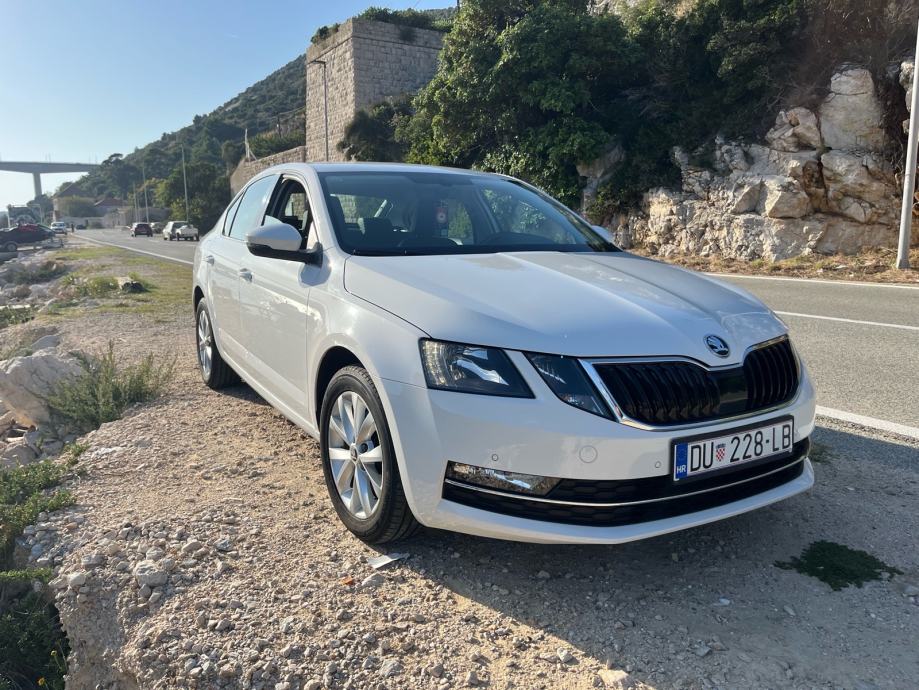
[471,369]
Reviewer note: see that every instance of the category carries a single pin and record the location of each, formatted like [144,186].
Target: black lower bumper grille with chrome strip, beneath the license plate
[651,498]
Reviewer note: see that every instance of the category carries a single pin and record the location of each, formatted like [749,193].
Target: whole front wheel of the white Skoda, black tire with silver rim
[377,477]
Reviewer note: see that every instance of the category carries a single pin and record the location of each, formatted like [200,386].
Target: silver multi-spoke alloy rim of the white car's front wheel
[355,455]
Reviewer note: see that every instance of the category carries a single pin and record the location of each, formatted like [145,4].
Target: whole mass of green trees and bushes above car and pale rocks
[533,87]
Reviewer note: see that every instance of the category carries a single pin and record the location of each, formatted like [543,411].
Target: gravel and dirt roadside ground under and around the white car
[203,552]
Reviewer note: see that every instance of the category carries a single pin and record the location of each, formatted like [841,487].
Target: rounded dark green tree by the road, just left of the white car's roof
[208,193]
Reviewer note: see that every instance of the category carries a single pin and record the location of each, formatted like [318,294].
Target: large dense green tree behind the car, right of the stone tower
[525,87]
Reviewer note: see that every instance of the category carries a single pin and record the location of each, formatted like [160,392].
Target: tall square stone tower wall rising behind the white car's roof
[365,63]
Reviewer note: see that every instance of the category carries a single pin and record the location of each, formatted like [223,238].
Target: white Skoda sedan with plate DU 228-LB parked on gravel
[474,356]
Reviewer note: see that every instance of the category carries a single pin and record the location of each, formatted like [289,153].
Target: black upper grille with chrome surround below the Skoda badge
[662,393]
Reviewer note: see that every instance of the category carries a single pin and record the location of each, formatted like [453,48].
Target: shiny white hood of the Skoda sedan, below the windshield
[577,304]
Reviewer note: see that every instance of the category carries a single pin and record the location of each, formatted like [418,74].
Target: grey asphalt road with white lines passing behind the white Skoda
[860,341]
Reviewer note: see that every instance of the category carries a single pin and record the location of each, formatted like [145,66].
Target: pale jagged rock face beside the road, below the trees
[822,181]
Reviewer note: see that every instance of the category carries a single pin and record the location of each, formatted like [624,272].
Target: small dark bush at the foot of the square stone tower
[371,135]
